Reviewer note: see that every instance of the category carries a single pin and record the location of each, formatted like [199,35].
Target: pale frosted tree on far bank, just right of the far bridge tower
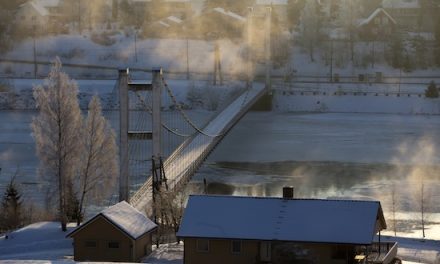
[311,23]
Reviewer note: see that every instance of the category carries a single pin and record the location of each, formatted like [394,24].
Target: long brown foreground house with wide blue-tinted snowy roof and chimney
[228,229]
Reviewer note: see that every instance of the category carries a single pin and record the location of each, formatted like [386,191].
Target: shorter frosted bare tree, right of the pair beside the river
[99,166]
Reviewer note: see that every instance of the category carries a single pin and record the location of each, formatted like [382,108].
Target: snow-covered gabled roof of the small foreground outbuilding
[126,218]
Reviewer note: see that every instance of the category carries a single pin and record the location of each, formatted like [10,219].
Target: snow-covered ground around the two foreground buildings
[44,242]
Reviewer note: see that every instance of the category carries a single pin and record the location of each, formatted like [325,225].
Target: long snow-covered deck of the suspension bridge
[180,166]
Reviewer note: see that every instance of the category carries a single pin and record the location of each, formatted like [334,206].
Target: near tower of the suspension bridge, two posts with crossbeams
[125,85]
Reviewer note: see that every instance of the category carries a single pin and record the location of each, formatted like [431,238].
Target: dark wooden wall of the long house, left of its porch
[220,252]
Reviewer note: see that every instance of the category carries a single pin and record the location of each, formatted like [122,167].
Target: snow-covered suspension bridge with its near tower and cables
[152,119]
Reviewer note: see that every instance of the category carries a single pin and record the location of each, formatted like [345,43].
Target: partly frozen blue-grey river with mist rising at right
[344,156]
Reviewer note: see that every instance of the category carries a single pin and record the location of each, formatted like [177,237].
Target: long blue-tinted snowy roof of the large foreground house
[300,220]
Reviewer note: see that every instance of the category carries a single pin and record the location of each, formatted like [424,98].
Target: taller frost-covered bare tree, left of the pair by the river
[56,130]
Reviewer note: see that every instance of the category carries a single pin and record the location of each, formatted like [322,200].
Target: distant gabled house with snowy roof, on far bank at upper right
[378,25]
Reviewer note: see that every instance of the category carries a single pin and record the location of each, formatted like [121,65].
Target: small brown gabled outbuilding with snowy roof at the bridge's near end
[118,233]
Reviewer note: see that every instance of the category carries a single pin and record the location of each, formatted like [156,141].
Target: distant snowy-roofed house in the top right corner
[407,13]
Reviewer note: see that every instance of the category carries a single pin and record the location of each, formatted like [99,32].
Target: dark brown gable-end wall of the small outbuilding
[102,232]
